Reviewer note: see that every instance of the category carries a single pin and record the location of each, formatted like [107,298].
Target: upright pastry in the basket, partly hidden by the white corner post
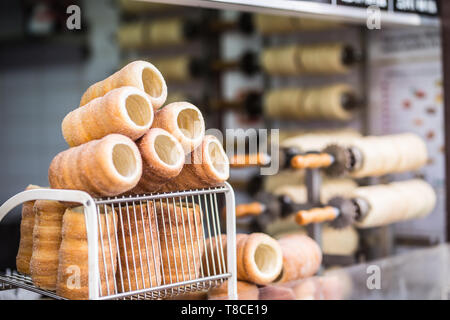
[73,269]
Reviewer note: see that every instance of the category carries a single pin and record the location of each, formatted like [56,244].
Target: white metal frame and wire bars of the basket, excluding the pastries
[90,210]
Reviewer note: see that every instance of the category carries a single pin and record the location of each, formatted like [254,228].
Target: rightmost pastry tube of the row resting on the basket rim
[208,166]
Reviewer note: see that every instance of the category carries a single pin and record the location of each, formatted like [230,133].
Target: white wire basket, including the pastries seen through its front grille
[182,253]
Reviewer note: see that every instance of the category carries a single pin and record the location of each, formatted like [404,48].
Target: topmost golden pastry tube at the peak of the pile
[140,74]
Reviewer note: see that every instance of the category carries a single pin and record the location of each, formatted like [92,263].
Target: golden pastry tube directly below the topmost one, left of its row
[125,110]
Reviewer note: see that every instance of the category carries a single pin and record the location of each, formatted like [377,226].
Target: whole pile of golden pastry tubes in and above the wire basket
[122,142]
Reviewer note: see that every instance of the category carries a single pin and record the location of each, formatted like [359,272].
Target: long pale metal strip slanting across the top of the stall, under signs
[310,10]
